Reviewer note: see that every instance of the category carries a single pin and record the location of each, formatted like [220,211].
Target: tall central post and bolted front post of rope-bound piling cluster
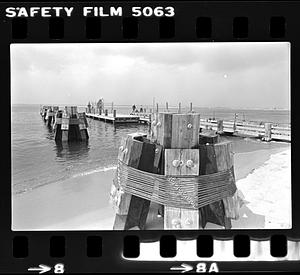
[178,134]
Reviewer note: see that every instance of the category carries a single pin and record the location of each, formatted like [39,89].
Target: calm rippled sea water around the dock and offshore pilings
[37,160]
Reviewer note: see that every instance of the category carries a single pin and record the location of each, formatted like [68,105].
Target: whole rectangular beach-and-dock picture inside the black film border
[150,136]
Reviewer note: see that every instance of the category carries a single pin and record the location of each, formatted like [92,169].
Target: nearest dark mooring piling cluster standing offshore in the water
[70,125]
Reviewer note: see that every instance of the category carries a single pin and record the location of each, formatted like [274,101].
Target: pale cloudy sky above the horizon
[233,75]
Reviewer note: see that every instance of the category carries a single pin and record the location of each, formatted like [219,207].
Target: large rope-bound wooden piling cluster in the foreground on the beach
[175,172]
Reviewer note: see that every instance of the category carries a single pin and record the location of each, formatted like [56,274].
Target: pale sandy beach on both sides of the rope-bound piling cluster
[263,178]
